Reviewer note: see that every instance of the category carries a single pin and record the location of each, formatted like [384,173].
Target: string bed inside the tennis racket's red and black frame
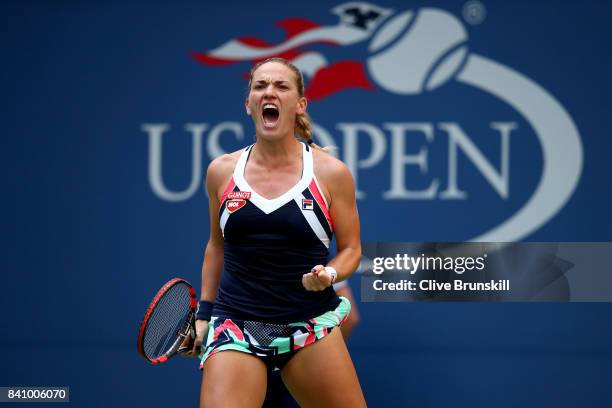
[167,320]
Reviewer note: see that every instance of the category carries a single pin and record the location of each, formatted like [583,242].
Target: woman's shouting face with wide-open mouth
[274,100]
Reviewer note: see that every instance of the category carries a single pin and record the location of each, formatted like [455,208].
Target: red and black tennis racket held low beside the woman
[169,319]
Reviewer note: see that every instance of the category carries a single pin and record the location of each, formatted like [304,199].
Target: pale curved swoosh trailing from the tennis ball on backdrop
[561,145]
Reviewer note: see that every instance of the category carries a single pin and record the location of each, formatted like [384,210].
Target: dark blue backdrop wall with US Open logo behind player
[97,219]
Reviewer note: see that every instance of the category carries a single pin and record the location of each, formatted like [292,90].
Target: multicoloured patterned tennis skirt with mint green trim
[269,340]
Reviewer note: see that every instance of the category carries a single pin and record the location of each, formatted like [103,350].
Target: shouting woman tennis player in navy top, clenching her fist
[267,296]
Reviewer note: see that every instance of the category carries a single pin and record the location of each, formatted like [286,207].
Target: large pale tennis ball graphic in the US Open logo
[418,51]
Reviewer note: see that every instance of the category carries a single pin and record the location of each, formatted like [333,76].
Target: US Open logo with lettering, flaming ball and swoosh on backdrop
[409,53]
